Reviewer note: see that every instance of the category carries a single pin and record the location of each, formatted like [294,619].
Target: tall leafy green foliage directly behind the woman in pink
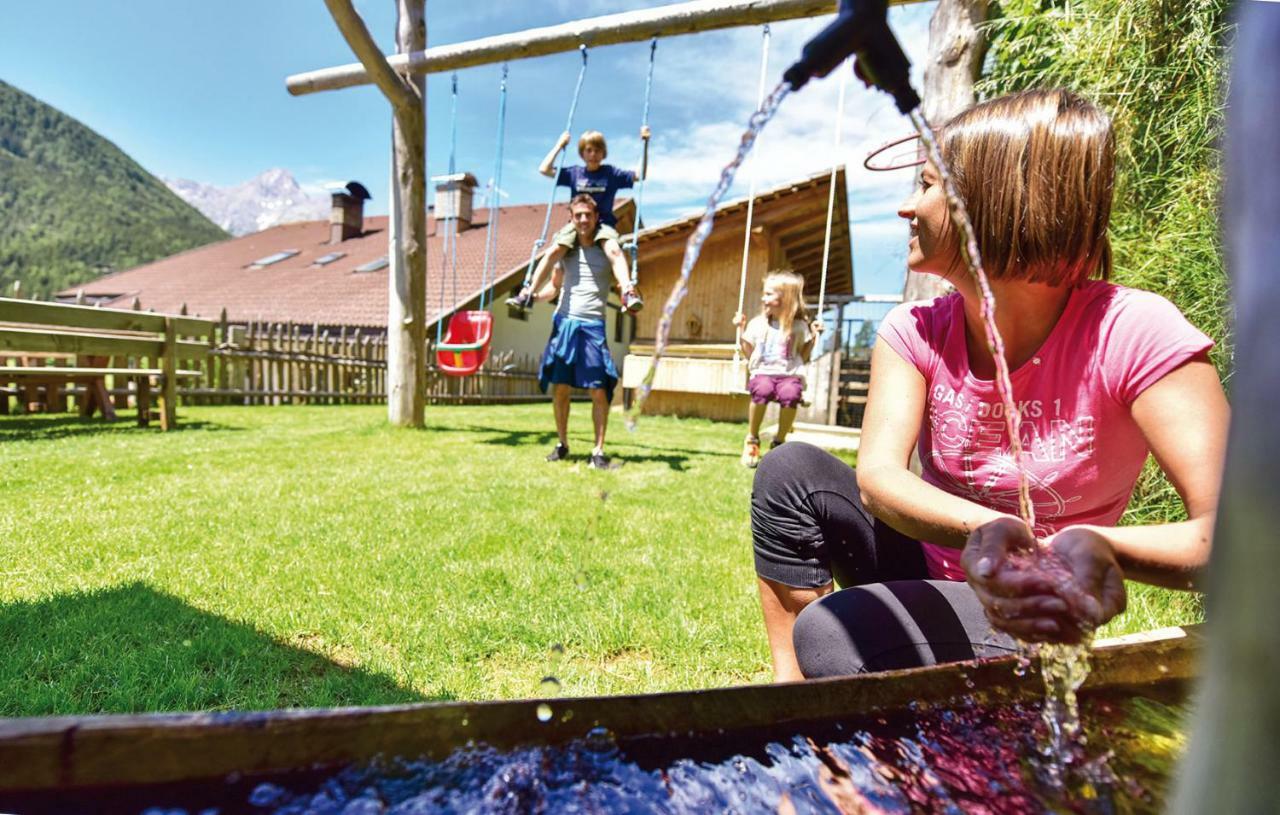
[1159,67]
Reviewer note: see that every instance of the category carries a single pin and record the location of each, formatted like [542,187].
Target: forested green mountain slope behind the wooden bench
[74,205]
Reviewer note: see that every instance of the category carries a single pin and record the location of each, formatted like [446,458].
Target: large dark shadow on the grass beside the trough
[131,649]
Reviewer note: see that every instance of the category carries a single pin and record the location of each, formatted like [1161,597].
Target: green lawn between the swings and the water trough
[314,556]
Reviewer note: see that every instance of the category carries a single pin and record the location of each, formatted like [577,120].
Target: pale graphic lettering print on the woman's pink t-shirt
[971,452]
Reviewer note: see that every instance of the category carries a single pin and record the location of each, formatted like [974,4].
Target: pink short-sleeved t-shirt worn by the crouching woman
[1081,443]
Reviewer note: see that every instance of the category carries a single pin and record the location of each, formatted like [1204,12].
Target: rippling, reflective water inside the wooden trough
[945,762]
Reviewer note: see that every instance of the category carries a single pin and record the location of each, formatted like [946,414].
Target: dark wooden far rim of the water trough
[47,763]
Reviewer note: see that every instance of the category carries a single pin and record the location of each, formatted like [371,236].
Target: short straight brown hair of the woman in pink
[1036,171]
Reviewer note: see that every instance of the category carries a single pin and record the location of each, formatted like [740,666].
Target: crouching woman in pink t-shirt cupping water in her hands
[1101,377]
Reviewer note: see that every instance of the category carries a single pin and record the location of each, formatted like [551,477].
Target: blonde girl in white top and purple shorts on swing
[778,342]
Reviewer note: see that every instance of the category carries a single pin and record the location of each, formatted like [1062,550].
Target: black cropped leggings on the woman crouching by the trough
[810,528]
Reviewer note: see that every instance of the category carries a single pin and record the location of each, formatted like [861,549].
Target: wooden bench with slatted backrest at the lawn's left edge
[60,345]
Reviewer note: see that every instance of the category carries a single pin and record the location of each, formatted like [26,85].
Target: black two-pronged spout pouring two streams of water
[861,30]
